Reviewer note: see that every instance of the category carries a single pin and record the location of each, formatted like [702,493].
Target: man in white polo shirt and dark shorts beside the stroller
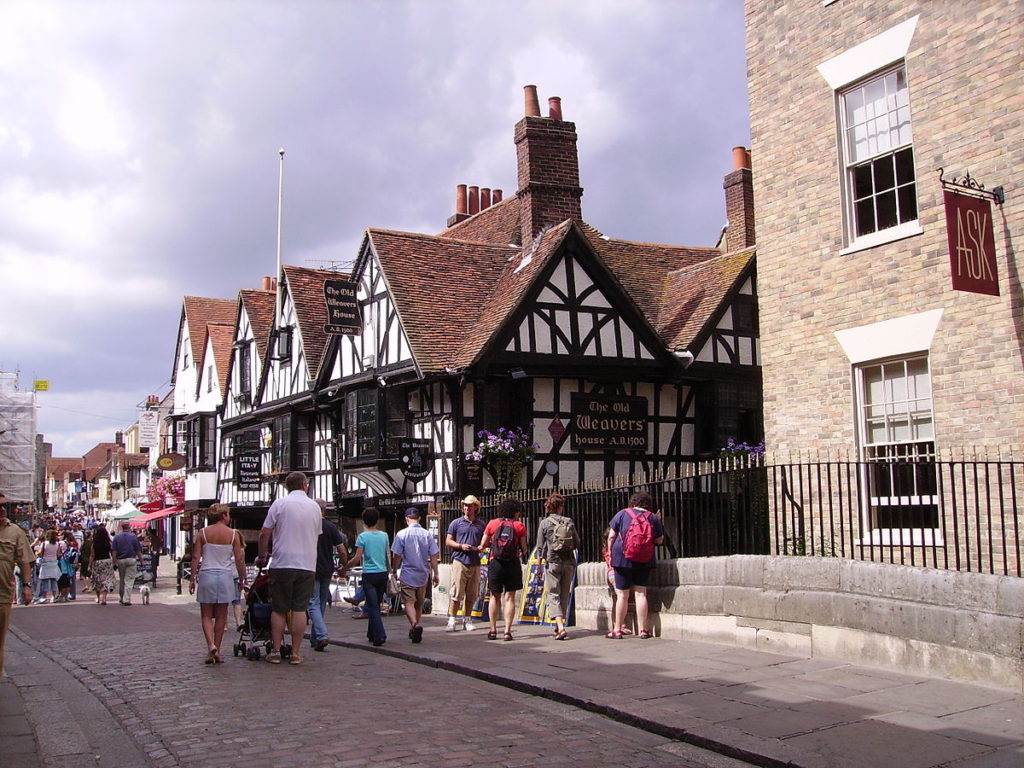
[294,524]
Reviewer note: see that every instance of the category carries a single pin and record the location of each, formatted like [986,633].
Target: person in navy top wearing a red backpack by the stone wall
[633,534]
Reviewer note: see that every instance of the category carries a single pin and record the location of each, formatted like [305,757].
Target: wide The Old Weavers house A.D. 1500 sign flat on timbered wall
[609,422]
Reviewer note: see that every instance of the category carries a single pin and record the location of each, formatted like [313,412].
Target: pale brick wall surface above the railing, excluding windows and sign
[964,68]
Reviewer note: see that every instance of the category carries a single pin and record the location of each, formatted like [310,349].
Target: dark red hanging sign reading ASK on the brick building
[972,245]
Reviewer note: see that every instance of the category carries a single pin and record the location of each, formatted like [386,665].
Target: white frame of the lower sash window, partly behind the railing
[916,447]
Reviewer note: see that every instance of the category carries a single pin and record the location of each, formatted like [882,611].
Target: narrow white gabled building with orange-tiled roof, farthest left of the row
[204,337]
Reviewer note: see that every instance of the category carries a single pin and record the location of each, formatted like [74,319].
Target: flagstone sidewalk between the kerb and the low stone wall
[763,708]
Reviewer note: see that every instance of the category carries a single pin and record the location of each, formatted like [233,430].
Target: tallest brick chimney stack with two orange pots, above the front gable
[548,168]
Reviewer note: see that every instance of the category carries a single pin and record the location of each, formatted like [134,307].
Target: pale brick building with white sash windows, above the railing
[869,351]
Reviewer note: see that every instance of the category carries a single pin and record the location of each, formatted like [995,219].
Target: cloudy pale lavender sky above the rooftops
[140,139]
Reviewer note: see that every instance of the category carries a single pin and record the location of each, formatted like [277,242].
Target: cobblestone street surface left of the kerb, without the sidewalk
[343,708]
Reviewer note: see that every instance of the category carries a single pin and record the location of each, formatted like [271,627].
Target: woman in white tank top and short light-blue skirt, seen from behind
[218,559]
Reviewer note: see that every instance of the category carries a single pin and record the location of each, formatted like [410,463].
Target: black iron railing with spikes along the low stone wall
[957,516]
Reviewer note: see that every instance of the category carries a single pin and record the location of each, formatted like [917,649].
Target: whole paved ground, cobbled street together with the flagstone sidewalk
[119,687]
